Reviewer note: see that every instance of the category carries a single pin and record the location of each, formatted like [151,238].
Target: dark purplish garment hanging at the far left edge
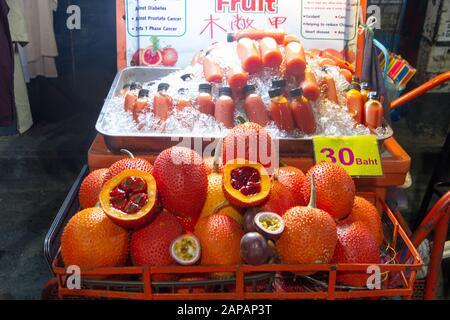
[7,104]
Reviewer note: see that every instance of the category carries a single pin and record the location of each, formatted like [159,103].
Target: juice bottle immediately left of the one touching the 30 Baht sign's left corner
[279,110]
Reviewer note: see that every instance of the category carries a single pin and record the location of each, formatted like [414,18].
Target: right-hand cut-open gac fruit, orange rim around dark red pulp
[245,184]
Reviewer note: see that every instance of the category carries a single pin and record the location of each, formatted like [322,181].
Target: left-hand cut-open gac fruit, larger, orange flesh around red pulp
[130,198]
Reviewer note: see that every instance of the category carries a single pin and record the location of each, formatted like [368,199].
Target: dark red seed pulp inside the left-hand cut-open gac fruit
[130,195]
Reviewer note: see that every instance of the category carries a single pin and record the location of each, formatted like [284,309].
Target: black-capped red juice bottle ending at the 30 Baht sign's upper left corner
[302,112]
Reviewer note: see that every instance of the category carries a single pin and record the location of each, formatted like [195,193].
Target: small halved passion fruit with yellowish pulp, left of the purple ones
[186,250]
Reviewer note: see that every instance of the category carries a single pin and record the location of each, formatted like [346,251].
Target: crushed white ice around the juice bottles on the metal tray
[332,119]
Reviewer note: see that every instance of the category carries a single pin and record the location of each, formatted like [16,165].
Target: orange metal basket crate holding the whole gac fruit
[249,282]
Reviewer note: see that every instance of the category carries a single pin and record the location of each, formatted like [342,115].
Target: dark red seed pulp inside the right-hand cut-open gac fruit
[247,180]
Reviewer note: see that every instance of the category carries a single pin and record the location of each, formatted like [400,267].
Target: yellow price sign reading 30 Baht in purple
[358,155]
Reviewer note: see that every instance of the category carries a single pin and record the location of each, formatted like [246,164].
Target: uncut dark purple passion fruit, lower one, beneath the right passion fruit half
[254,249]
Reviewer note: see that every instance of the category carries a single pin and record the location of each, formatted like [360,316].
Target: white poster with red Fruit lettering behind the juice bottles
[176,29]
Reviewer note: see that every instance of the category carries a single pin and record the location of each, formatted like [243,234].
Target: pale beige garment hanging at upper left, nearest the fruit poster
[41,50]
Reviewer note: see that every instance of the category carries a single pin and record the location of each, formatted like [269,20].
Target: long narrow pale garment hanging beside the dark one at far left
[19,36]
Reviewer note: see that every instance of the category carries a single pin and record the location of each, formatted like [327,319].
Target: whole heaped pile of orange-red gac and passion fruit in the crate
[223,210]
